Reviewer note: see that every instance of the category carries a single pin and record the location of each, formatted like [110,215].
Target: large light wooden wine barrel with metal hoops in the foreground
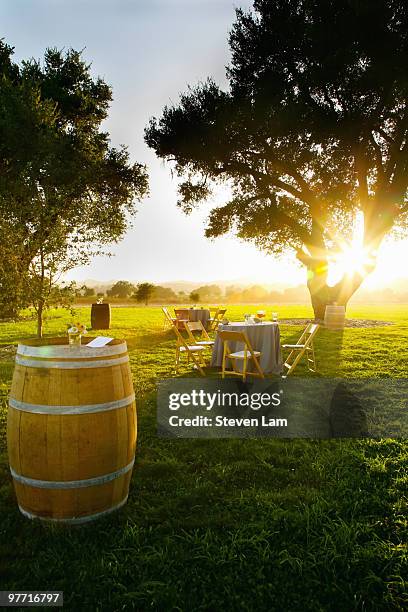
[71,429]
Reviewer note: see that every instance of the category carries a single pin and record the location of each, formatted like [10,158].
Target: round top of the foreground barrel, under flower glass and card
[59,347]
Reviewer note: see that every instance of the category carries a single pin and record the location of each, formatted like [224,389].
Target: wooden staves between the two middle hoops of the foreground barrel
[70,445]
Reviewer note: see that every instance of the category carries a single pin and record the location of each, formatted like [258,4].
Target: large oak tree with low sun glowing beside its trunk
[312,128]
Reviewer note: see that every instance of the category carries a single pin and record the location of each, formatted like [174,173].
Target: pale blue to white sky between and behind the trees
[149,51]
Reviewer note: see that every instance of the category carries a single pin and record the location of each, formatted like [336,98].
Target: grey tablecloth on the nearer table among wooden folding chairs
[264,337]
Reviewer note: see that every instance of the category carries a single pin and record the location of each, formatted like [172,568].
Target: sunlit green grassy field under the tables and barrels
[229,524]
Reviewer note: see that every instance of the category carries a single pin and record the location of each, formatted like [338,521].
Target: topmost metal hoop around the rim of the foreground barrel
[65,351]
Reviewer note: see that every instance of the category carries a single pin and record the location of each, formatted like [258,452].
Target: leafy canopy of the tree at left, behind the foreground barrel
[65,191]
